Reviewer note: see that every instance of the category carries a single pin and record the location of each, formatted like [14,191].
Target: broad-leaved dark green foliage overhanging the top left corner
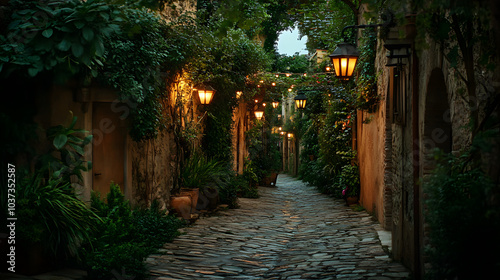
[64,36]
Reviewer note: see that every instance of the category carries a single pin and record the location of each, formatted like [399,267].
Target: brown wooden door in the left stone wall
[108,149]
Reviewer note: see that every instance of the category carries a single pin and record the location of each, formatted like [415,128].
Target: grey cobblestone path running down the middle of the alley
[290,232]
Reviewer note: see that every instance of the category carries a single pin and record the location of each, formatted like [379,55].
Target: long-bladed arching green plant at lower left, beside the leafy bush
[49,213]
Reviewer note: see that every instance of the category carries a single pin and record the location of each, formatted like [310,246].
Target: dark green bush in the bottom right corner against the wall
[463,215]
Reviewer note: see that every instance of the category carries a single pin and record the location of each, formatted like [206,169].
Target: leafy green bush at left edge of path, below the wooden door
[125,237]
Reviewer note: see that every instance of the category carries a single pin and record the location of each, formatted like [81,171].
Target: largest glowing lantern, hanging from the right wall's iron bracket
[344,59]
